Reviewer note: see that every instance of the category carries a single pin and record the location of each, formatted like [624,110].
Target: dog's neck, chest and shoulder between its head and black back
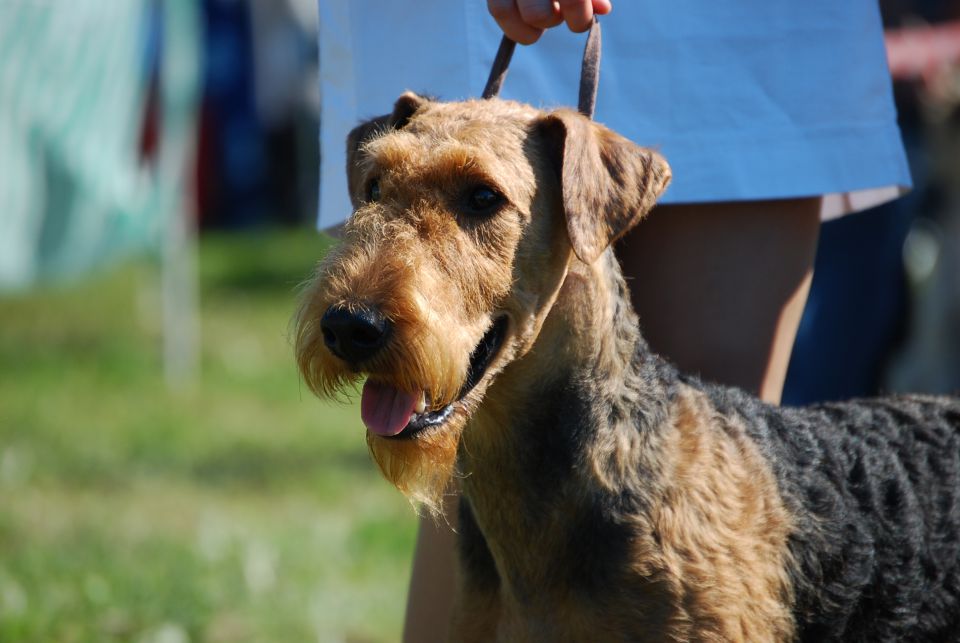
[592,465]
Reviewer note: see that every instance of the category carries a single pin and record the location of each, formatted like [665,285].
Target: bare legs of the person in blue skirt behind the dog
[720,289]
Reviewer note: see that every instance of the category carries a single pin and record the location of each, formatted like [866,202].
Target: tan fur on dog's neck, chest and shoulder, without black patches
[717,570]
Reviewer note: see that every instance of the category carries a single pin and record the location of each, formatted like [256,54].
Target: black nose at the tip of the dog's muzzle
[354,334]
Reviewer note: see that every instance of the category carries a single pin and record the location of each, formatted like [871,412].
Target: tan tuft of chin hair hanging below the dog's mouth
[421,468]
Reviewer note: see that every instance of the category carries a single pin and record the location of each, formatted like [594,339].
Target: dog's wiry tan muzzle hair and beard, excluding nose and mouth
[429,353]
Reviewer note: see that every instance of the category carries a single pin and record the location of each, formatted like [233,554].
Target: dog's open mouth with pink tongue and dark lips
[393,414]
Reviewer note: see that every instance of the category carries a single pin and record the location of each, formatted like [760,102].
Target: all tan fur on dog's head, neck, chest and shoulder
[708,559]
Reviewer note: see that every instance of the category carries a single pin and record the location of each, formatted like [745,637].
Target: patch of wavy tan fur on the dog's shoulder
[723,533]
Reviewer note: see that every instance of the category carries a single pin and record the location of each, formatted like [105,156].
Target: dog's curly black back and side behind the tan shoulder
[874,486]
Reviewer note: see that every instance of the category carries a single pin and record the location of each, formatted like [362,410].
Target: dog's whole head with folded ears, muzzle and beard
[466,219]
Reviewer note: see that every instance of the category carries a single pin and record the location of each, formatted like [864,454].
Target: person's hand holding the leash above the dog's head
[525,20]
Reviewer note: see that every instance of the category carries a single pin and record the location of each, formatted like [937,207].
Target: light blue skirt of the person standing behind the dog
[747,100]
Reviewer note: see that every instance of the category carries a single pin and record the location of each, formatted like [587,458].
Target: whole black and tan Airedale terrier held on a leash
[605,496]
